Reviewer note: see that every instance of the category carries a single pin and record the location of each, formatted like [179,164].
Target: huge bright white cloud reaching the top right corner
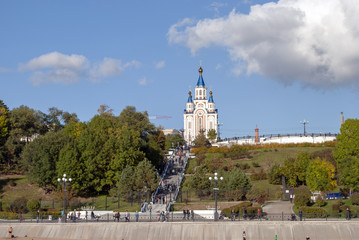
[310,41]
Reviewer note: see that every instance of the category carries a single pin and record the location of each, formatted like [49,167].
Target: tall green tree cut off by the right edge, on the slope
[347,141]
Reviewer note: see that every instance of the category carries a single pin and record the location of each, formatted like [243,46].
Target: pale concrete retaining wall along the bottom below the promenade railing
[344,230]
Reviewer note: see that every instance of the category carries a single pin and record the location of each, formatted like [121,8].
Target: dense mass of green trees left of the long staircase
[99,155]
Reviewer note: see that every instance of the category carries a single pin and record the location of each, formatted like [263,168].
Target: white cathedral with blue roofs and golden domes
[200,115]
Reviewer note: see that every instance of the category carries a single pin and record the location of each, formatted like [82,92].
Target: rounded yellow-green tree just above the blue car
[320,175]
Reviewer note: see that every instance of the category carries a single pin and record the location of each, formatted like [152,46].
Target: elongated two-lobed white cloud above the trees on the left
[56,67]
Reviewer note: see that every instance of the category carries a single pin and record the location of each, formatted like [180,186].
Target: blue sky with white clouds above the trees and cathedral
[270,64]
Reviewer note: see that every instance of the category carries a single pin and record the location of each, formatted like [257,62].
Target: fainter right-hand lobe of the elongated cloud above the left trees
[110,67]
